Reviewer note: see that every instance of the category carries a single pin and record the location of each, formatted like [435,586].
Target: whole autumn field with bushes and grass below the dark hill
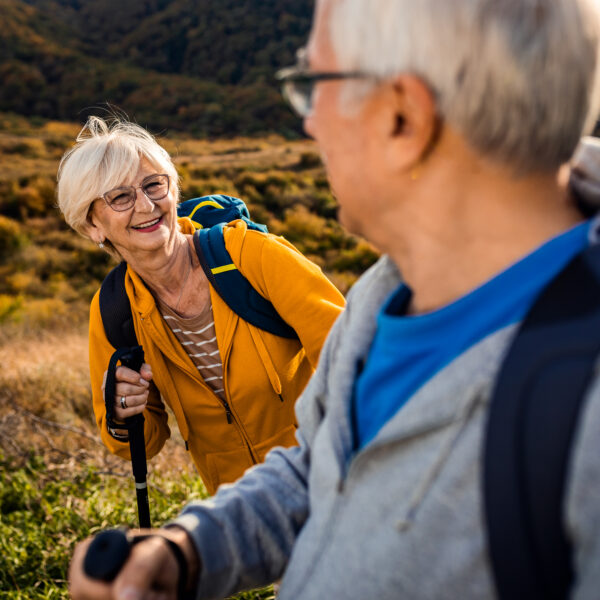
[58,484]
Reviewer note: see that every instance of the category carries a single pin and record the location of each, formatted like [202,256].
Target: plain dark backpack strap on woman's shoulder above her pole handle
[115,309]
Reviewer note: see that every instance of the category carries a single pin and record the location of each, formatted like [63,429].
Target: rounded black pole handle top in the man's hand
[106,554]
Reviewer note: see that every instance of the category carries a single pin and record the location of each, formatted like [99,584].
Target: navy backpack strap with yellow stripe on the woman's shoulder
[233,287]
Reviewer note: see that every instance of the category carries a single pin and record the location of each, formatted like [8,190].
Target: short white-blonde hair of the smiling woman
[107,154]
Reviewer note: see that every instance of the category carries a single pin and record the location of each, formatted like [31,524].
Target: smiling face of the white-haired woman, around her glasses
[147,226]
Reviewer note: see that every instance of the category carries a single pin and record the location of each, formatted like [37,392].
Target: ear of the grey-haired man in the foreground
[412,122]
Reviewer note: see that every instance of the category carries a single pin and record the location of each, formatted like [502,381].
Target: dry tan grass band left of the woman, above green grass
[45,406]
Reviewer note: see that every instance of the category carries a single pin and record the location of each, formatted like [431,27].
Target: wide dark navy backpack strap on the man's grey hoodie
[532,418]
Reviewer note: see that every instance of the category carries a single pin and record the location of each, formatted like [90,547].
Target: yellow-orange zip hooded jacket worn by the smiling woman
[263,374]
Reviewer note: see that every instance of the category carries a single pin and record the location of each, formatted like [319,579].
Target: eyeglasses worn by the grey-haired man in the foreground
[298,83]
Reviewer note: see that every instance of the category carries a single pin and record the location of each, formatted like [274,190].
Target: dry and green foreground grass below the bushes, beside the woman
[58,484]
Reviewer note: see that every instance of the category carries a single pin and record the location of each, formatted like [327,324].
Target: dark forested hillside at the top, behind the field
[201,66]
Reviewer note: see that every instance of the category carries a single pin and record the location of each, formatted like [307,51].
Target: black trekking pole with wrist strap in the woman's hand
[132,358]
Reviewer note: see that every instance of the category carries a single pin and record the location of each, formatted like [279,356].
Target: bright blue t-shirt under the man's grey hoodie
[408,350]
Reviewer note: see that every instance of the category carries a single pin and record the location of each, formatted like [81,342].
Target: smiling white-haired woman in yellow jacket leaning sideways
[231,386]
